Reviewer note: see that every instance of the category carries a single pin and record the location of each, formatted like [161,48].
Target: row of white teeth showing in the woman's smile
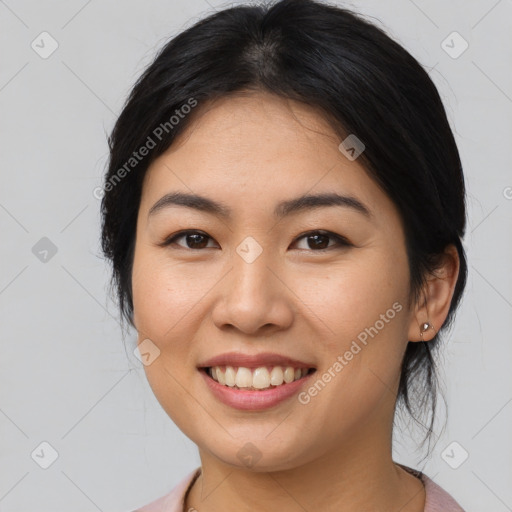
[256,378]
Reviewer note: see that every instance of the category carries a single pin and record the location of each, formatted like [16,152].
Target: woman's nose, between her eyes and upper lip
[253,298]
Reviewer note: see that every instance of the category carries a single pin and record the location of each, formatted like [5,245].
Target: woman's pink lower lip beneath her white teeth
[254,400]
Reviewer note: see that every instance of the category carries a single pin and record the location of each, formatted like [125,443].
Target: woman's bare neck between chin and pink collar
[359,476]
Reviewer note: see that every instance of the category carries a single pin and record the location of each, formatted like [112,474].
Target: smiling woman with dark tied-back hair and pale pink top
[283,210]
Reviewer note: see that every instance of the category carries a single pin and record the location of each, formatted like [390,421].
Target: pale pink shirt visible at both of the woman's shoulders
[437,499]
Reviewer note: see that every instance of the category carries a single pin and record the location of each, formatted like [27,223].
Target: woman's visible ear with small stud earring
[437,293]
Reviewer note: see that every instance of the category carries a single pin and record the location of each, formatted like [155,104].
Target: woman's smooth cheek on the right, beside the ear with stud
[362,310]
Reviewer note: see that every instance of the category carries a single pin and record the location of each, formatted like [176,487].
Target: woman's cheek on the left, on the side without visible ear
[167,310]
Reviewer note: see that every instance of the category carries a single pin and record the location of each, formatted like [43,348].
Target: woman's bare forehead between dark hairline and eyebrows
[259,149]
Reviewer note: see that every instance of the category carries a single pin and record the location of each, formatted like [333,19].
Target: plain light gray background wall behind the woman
[65,376]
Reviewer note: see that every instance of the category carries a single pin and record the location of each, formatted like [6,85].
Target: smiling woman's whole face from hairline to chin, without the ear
[262,282]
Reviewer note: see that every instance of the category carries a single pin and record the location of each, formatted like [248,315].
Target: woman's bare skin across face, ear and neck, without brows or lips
[334,453]
